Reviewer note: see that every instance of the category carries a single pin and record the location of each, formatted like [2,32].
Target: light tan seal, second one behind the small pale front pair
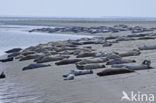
[96,60]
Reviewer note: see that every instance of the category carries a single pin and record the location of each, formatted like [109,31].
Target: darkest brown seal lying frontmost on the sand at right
[107,72]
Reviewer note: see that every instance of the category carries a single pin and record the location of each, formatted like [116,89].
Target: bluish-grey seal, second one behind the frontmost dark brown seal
[119,61]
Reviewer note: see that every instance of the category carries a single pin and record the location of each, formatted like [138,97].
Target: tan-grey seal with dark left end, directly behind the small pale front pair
[90,66]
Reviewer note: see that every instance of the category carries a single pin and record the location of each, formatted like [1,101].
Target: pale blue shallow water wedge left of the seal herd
[17,36]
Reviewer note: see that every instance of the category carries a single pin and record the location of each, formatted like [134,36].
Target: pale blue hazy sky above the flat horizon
[78,8]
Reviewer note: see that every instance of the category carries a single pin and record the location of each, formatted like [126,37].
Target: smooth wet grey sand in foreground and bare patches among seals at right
[46,85]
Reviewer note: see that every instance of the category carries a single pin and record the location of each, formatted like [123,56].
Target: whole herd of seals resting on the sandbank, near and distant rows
[81,52]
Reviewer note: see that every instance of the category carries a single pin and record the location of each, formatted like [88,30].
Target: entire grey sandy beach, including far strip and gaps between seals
[46,85]
